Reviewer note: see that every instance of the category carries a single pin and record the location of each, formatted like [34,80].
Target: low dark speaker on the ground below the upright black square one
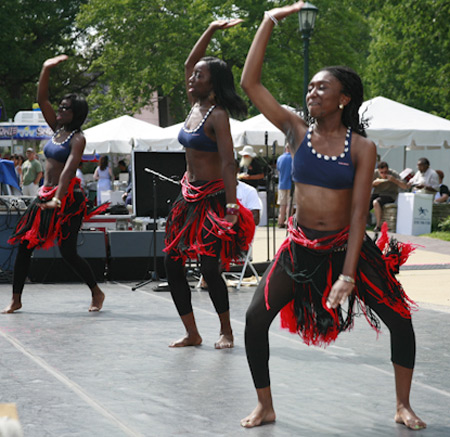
[131,255]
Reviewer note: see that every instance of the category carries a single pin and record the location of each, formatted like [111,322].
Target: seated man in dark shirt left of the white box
[386,183]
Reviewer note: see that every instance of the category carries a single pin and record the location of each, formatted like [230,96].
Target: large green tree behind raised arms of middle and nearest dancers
[143,45]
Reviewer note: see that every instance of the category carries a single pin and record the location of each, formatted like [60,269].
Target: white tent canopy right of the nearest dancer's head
[392,124]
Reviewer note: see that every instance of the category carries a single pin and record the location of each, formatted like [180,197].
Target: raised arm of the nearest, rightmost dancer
[251,75]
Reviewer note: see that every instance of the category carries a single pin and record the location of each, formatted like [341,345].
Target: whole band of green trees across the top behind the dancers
[123,53]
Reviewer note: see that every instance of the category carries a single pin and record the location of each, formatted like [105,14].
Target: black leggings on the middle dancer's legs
[210,269]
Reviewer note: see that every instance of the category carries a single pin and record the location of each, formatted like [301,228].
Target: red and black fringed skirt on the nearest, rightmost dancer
[315,264]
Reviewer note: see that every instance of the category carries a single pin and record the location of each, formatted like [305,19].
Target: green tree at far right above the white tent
[409,58]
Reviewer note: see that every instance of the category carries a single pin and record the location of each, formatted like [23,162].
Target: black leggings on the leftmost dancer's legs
[68,249]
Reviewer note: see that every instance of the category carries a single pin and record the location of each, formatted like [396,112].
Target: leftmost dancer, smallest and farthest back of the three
[59,208]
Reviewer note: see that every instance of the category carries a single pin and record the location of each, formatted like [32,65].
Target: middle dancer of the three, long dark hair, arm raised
[207,221]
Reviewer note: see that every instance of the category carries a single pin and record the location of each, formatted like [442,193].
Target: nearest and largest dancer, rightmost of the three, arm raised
[327,259]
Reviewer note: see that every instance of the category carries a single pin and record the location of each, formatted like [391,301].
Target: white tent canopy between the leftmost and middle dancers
[116,136]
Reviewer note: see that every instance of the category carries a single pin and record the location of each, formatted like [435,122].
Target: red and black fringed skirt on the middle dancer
[197,220]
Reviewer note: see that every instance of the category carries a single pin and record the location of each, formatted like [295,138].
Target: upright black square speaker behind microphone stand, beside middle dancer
[169,164]
